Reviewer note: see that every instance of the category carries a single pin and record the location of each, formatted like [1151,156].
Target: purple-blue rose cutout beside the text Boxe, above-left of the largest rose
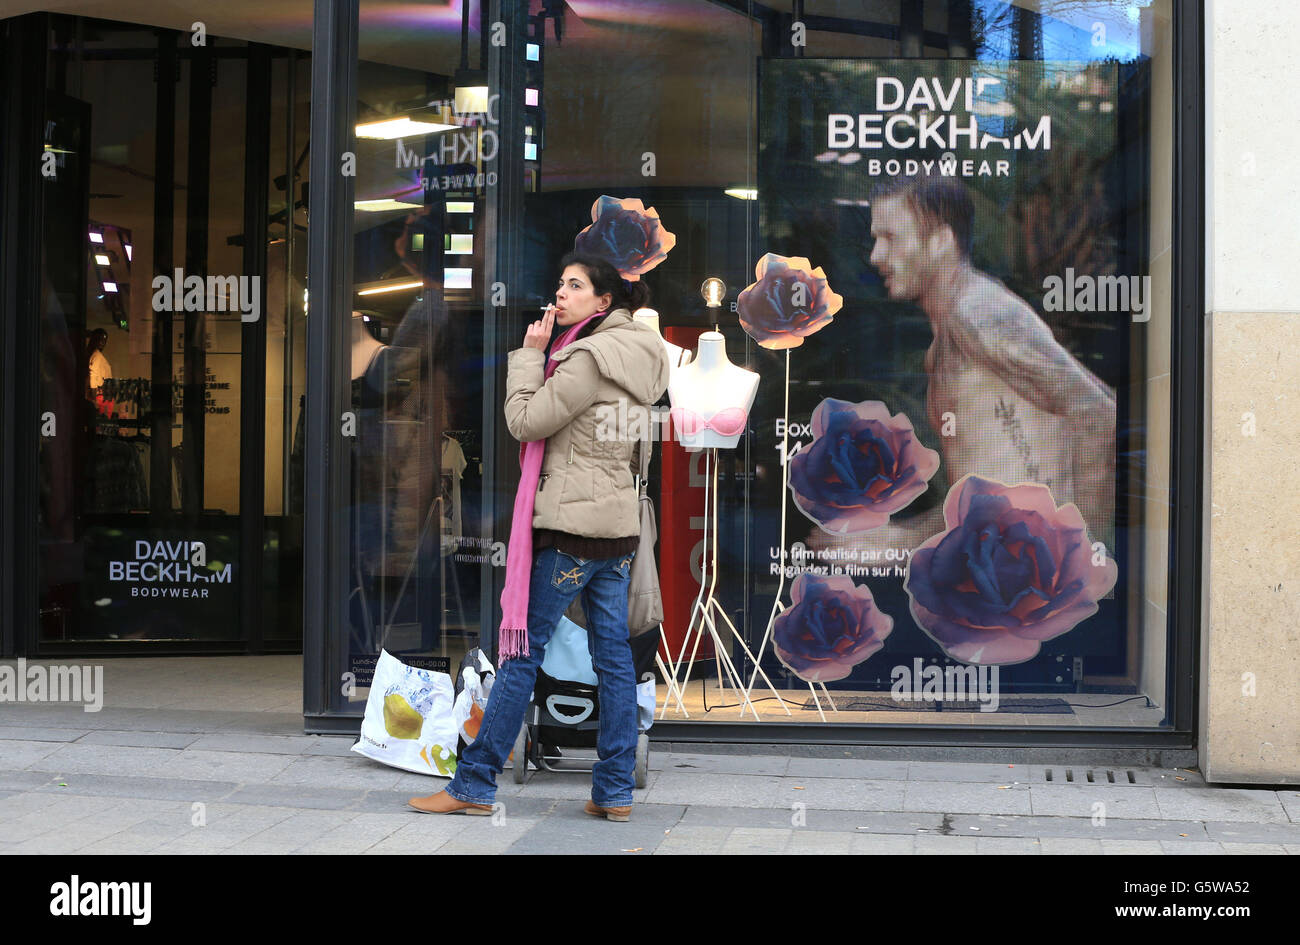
[861,467]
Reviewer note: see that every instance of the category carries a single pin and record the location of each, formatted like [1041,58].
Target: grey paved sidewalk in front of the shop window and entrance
[170,781]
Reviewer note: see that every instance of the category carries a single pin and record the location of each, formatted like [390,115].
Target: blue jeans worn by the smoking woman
[556,582]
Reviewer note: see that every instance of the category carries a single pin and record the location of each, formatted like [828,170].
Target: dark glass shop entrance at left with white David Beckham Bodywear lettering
[171,326]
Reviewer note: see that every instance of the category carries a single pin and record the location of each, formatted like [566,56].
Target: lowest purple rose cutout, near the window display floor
[830,627]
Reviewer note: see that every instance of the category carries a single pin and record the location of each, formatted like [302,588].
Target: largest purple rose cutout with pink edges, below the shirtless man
[1011,571]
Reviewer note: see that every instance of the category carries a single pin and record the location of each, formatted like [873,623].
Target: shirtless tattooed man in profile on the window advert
[1009,401]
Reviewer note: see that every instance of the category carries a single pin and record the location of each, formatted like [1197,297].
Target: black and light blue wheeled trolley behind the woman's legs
[566,713]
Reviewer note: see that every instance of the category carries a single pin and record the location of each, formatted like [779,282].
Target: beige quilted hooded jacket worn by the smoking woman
[587,485]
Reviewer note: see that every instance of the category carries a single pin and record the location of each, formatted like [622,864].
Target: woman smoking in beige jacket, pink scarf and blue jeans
[578,513]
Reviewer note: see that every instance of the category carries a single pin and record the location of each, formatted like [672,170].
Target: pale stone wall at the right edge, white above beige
[1250,708]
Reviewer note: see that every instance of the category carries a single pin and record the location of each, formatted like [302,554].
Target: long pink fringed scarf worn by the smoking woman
[513,640]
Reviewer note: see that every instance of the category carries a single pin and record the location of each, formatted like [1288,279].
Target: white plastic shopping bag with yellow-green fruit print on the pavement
[409,719]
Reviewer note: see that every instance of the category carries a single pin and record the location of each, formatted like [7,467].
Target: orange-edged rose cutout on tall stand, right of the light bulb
[790,302]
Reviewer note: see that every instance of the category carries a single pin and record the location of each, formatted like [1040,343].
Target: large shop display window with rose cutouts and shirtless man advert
[944,241]
